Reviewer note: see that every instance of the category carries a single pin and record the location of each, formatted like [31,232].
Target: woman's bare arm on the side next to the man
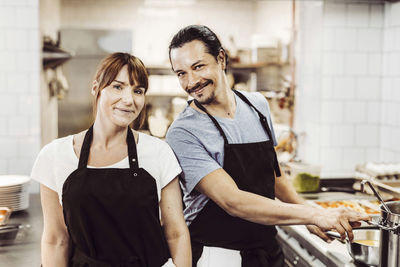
[175,229]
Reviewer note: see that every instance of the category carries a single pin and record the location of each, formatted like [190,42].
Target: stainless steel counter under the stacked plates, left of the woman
[25,250]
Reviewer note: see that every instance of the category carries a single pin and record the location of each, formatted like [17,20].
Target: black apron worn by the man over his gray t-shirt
[253,167]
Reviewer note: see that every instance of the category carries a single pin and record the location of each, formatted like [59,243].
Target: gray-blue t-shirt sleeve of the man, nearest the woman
[194,159]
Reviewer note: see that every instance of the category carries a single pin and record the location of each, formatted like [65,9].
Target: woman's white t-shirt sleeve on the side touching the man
[170,167]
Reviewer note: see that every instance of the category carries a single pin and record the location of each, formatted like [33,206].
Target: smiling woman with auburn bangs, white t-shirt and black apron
[102,189]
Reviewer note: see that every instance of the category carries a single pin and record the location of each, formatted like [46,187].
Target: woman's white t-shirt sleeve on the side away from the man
[43,168]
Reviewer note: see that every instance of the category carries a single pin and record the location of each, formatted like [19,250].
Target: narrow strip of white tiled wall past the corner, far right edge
[390,130]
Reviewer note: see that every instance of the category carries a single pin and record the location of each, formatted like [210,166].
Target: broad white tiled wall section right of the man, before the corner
[348,85]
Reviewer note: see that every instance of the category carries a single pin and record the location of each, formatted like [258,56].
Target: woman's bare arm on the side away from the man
[55,238]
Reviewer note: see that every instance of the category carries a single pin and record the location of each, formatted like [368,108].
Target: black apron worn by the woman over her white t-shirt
[112,215]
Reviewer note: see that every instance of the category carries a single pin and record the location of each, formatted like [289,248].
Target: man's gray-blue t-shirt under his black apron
[199,146]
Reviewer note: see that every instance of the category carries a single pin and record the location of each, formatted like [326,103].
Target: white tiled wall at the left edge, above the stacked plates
[19,85]
